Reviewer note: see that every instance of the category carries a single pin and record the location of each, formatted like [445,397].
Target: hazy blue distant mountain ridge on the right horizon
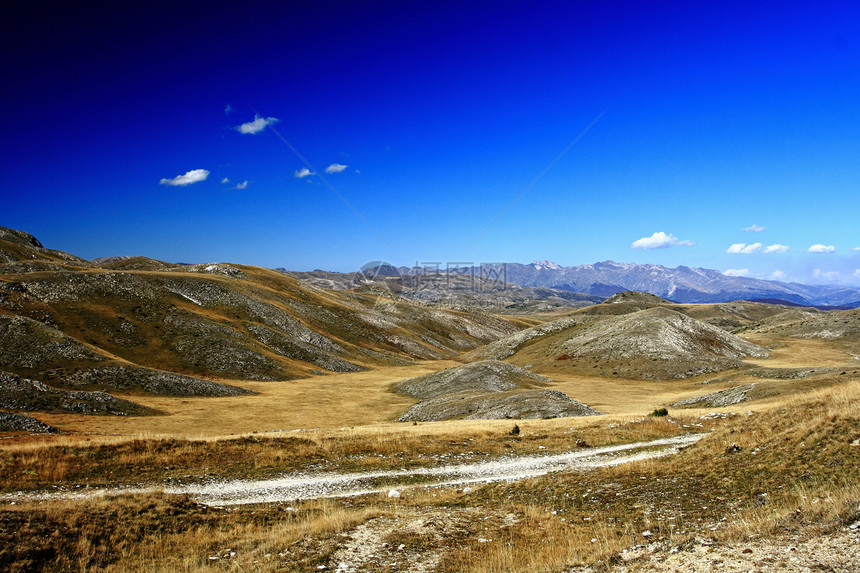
[681,284]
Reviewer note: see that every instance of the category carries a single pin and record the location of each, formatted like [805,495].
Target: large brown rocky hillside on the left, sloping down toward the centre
[140,325]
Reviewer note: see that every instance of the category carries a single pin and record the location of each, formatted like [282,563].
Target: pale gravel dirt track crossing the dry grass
[298,486]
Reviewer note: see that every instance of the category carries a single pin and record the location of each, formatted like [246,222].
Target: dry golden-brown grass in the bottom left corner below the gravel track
[161,533]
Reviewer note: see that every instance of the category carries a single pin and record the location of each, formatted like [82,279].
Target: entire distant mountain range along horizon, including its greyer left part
[597,280]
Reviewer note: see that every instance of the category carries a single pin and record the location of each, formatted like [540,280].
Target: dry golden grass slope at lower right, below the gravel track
[797,467]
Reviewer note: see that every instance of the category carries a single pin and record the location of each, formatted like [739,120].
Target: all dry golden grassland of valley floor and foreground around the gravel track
[787,462]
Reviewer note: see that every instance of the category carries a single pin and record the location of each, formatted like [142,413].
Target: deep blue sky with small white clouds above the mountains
[721,135]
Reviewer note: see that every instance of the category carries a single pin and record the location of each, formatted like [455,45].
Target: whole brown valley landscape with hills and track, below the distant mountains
[155,417]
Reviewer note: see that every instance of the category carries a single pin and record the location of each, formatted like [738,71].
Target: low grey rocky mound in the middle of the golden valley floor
[484,391]
